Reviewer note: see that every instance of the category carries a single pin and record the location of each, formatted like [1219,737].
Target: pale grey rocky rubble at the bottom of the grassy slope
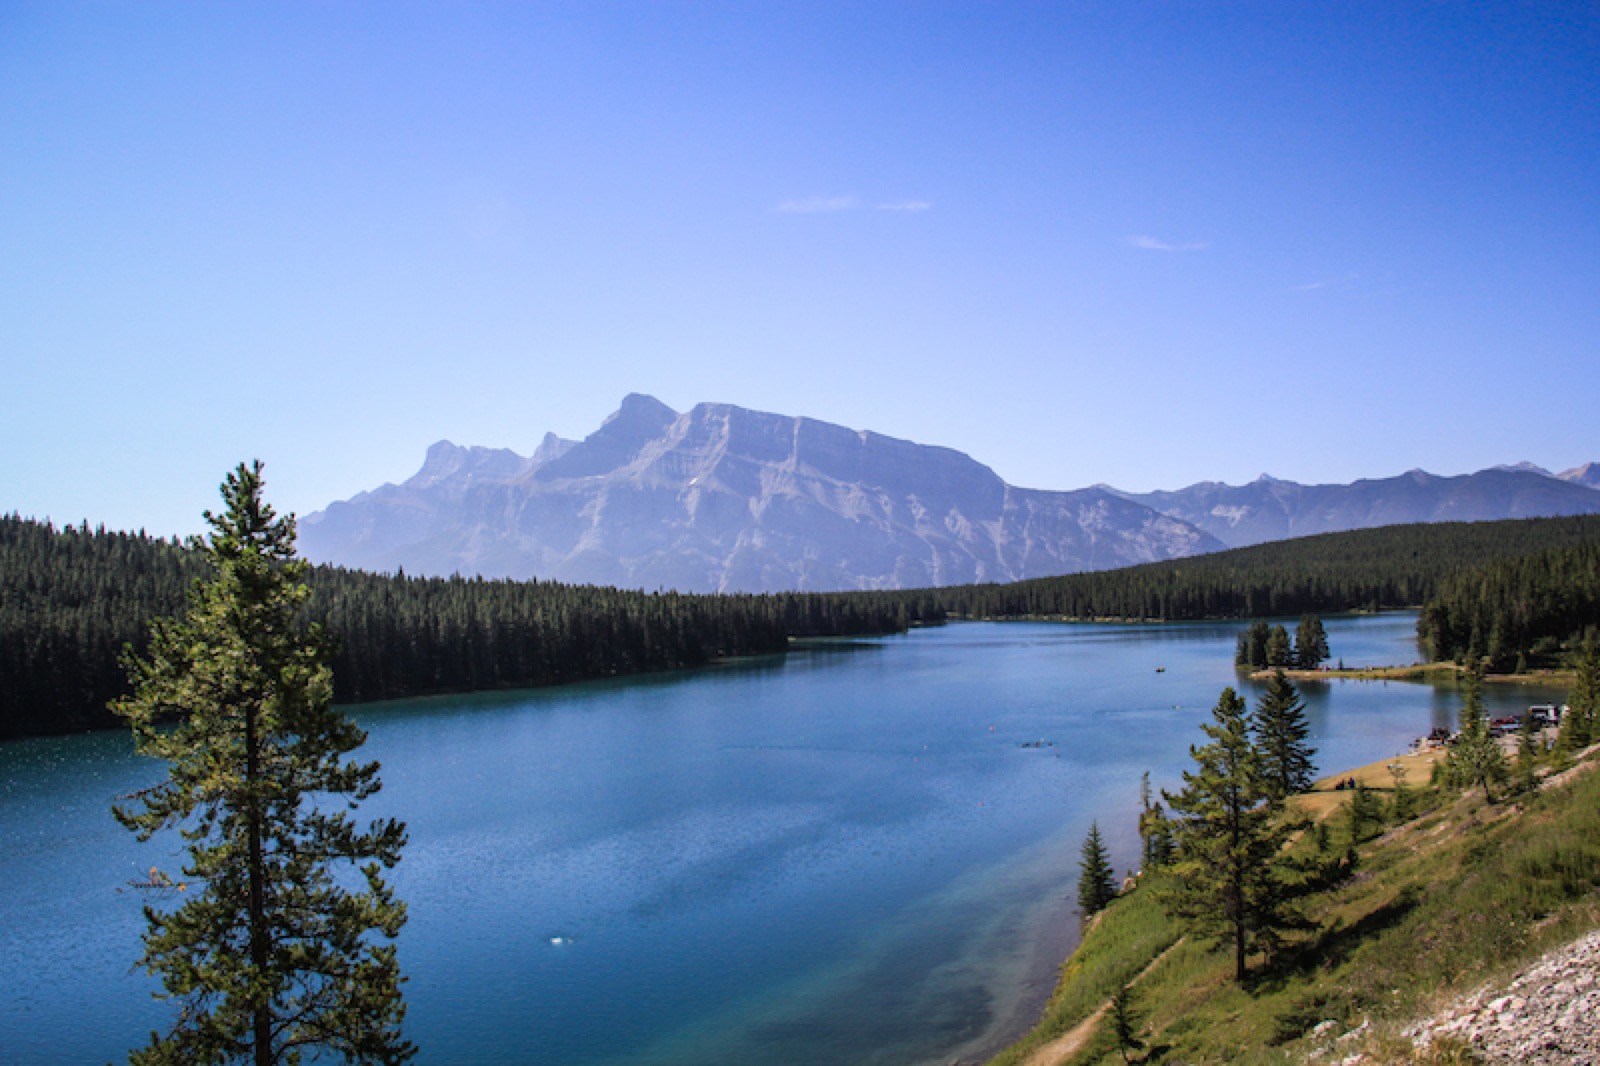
[1550,1014]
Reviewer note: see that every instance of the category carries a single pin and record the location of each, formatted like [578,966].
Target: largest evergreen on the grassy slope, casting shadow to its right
[1230,886]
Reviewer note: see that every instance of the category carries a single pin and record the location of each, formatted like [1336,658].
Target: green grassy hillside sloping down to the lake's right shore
[1454,896]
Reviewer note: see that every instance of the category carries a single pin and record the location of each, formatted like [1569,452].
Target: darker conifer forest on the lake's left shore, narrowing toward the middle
[73,599]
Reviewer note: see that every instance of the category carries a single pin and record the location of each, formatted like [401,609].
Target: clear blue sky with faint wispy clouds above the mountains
[1142,244]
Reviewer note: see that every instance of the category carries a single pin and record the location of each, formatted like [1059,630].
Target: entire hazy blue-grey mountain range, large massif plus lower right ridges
[729,500]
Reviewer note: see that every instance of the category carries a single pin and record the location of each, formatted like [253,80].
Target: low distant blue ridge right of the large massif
[1270,510]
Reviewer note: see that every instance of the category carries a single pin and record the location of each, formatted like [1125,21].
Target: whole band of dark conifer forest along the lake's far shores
[73,599]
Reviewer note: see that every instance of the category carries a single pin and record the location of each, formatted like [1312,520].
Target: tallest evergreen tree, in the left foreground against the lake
[273,958]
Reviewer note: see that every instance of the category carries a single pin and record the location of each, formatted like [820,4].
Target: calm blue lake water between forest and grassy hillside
[841,856]
